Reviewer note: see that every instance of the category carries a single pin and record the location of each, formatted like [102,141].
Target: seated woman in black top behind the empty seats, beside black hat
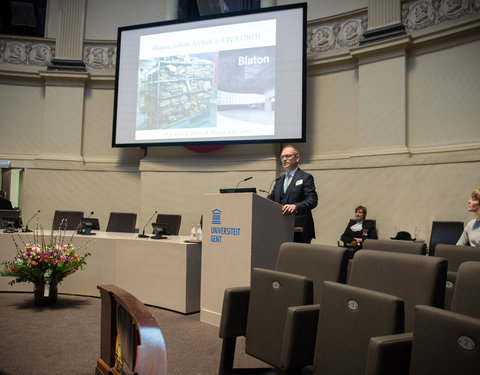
[359,229]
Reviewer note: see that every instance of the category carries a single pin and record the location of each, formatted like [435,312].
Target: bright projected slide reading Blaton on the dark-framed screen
[213,82]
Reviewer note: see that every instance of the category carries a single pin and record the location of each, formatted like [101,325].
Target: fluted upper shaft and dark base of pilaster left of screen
[70,35]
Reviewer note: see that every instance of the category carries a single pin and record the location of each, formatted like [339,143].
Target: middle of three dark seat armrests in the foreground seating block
[299,336]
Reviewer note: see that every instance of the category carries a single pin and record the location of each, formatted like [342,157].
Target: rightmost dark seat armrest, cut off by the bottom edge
[389,355]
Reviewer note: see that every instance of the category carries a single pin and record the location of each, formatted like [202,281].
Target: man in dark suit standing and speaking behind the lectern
[295,190]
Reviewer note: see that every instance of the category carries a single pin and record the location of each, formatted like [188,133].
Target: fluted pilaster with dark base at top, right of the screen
[384,20]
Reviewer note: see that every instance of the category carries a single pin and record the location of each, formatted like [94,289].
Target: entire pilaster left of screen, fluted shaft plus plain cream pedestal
[65,81]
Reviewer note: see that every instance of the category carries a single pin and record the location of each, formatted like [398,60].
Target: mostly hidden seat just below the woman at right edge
[455,255]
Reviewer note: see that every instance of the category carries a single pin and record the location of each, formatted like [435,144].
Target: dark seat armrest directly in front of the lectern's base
[233,322]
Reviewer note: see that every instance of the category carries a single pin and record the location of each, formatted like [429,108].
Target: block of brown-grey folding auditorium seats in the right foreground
[382,312]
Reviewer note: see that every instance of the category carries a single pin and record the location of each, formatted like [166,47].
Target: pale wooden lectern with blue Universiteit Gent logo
[240,231]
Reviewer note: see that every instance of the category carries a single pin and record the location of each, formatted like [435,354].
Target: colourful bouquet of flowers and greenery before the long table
[44,262]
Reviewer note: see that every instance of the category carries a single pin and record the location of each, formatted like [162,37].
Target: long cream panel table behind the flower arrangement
[163,273]
